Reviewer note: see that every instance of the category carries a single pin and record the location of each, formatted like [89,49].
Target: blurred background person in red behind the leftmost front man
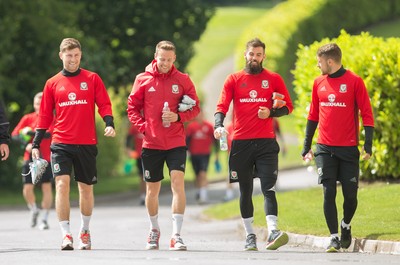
[23,133]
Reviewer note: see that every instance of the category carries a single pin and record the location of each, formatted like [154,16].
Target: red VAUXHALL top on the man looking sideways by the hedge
[335,105]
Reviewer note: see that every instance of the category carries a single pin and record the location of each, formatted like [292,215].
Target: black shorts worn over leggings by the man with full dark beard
[253,158]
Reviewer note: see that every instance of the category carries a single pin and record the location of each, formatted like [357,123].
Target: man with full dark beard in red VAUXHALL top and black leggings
[254,151]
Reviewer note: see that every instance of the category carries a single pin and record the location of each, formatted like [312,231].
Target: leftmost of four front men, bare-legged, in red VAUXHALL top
[72,95]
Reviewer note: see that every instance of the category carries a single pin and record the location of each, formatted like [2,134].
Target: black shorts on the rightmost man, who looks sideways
[341,163]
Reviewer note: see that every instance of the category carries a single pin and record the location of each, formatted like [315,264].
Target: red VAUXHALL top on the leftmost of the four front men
[74,98]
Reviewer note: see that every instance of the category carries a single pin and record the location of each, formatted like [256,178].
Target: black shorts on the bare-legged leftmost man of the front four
[81,157]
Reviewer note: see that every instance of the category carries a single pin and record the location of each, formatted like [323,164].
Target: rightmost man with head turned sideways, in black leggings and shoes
[338,96]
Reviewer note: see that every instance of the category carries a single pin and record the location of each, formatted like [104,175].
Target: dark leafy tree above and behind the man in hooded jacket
[126,33]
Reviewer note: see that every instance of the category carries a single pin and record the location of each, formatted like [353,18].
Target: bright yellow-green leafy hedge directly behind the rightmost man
[377,61]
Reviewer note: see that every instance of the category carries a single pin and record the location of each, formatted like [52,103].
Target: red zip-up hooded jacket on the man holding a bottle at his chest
[149,92]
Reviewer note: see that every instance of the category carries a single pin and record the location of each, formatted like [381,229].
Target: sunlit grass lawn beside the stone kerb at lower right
[377,216]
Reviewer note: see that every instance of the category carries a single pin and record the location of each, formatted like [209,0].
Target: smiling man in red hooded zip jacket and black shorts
[161,83]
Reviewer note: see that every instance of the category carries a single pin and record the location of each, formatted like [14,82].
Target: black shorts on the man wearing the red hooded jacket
[153,162]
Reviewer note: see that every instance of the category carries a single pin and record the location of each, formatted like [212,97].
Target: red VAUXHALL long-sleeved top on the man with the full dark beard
[249,92]
